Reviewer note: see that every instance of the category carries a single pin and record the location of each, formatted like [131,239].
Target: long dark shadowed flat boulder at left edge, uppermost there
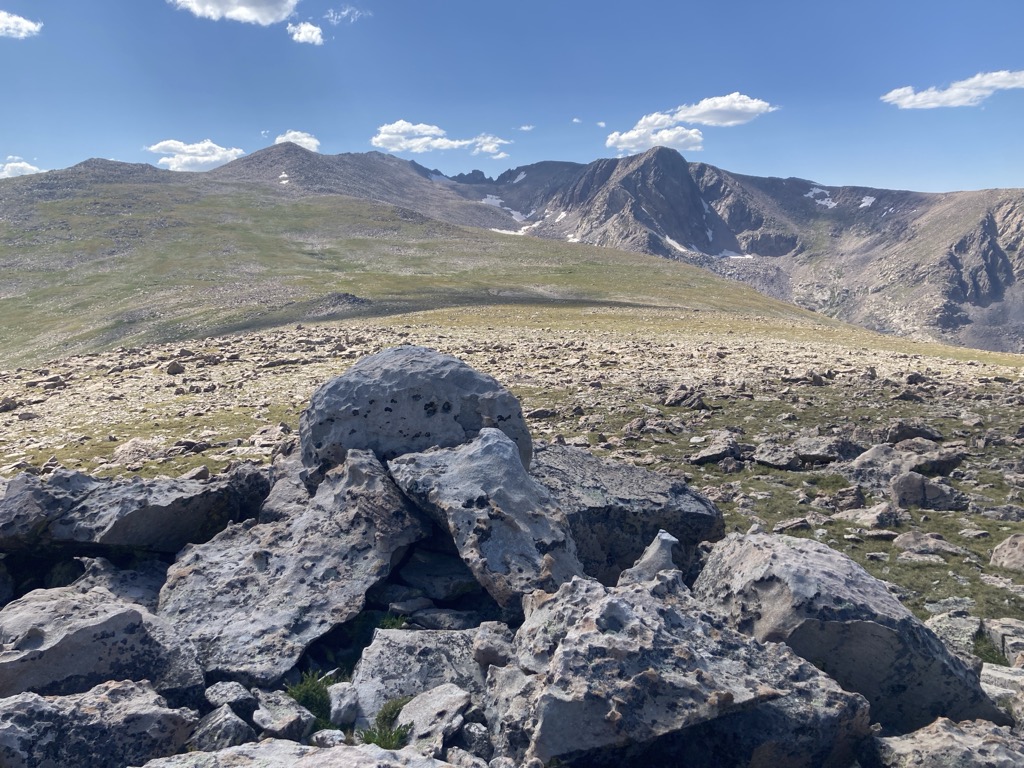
[71,509]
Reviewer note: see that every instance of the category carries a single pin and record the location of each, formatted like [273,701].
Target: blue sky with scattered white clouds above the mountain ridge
[926,97]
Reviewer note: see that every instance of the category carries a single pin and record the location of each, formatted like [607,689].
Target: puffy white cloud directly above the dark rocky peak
[670,129]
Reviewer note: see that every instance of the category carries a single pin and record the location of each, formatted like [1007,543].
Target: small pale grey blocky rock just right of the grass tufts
[403,663]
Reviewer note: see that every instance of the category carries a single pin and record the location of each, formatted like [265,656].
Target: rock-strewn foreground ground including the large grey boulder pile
[540,605]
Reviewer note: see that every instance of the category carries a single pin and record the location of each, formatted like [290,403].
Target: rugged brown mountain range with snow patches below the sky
[932,267]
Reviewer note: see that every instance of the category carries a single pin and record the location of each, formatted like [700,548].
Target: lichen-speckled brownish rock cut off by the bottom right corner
[967,745]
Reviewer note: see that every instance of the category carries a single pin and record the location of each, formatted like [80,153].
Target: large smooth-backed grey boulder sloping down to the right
[834,614]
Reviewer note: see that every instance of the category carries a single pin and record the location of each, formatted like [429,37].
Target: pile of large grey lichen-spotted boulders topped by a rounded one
[510,605]
